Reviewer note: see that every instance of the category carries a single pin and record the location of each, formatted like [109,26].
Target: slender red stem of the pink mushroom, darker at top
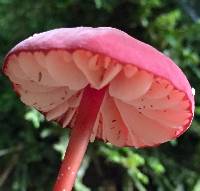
[80,136]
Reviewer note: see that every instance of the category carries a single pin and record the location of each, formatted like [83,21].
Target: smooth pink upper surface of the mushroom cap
[113,43]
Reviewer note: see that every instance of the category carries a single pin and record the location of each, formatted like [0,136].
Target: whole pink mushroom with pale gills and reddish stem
[104,84]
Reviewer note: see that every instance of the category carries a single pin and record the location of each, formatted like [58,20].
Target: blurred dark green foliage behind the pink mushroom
[31,148]
